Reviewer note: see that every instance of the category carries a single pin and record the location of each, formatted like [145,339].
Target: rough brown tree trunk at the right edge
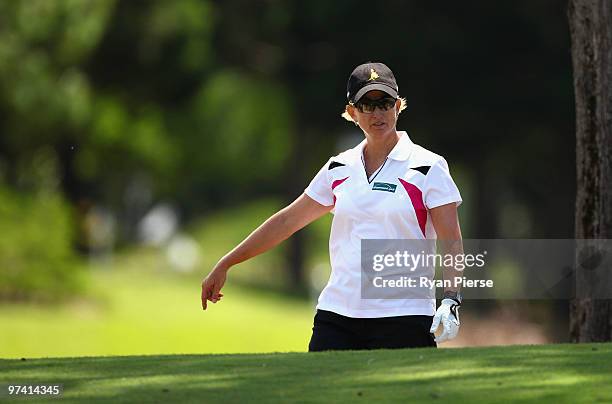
[590,23]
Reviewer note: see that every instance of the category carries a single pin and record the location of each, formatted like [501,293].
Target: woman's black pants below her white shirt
[332,331]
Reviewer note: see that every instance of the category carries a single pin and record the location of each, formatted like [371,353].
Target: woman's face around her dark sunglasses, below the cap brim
[378,122]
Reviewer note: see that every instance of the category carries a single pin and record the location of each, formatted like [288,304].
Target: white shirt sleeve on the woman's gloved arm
[440,189]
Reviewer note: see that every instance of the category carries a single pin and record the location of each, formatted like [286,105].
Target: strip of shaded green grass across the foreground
[546,373]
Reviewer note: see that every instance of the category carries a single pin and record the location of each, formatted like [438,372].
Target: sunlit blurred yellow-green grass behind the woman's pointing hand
[139,305]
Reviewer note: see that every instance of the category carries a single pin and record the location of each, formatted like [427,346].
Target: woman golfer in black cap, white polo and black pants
[387,187]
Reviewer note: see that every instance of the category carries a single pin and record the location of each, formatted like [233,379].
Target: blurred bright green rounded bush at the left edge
[36,257]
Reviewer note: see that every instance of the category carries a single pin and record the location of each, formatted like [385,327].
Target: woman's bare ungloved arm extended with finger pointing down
[277,228]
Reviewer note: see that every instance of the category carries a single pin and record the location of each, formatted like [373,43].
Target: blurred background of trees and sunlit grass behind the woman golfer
[141,140]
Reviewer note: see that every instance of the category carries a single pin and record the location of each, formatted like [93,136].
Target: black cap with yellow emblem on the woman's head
[370,76]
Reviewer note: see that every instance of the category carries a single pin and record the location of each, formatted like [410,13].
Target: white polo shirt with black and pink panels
[393,203]
